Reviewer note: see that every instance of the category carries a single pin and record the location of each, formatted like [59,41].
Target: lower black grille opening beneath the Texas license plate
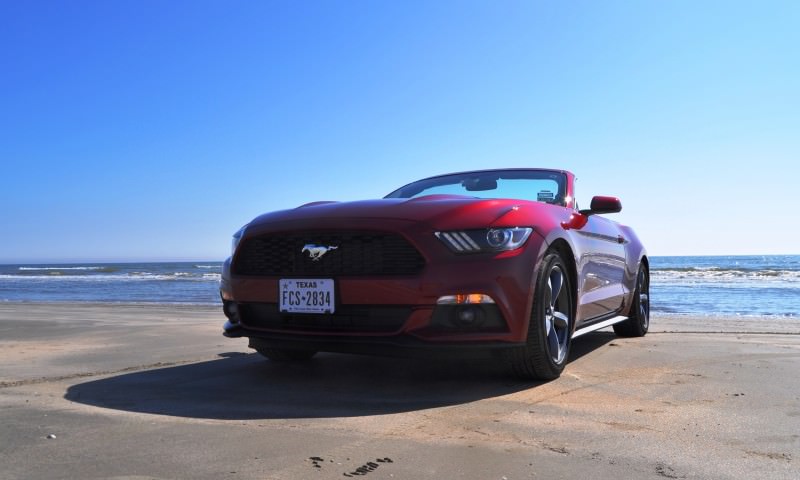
[350,318]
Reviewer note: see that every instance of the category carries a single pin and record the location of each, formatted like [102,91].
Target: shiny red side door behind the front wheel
[601,268]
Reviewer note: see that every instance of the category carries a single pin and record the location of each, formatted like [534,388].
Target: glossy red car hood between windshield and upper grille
[439,211]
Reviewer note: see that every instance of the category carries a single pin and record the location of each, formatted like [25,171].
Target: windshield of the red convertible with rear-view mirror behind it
[535,185]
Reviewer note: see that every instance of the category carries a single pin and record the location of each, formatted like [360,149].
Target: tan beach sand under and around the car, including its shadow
[156,392]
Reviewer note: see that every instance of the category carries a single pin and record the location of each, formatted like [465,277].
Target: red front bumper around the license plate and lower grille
[417,321]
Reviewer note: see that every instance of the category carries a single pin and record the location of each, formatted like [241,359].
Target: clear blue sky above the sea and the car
[152,130]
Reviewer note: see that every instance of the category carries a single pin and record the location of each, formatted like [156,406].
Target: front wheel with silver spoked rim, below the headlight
[550,330]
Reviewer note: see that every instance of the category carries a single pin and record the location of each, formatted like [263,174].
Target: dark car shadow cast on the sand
[246,386]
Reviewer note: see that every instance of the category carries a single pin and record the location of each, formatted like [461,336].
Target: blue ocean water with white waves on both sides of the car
[717,285]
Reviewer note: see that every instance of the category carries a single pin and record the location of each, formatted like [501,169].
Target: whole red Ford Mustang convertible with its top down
[497,262]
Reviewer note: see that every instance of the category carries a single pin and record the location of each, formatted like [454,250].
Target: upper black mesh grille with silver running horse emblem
[356,253]
